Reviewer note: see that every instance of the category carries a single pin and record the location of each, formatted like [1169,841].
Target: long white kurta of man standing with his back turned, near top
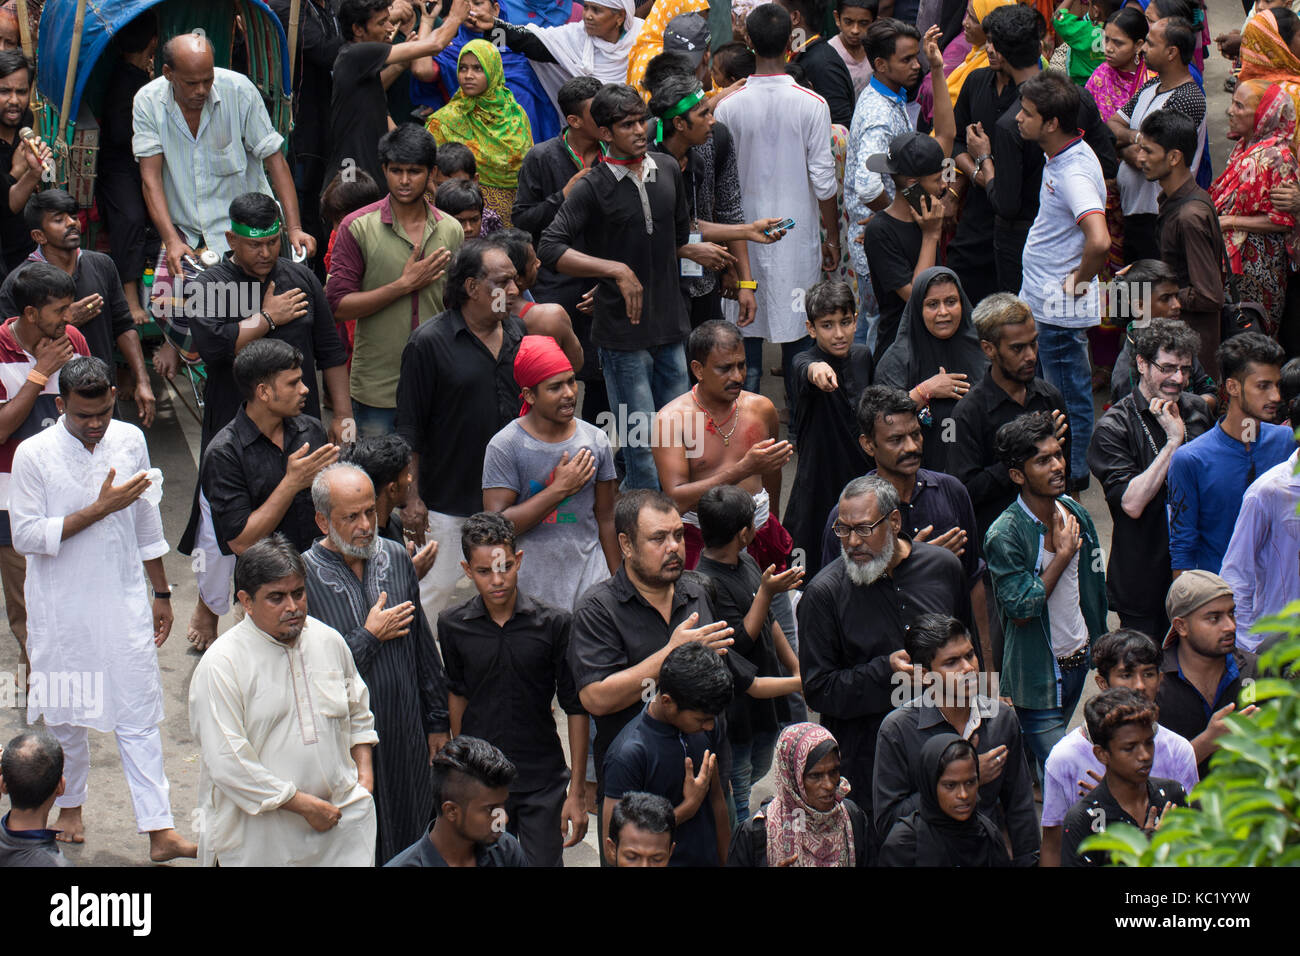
[783,155]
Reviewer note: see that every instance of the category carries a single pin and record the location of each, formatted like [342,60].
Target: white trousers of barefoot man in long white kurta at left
[142,763]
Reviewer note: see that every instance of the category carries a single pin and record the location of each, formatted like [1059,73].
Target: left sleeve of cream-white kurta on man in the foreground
[232,760]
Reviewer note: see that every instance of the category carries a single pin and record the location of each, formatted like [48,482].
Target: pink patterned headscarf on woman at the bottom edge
[794,828]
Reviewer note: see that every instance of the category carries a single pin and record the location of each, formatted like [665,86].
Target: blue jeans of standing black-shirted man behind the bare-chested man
[640,383]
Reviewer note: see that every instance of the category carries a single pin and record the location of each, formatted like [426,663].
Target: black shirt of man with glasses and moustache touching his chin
[1124,445]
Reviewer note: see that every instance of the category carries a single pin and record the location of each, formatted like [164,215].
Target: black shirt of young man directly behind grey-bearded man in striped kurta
[241,469]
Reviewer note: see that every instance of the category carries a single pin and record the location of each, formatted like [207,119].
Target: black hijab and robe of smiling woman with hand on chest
[916,356]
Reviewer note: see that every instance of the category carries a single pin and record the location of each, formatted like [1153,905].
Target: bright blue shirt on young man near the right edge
[1207,482]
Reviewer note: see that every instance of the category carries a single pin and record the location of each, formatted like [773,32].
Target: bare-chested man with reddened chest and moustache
[721,435]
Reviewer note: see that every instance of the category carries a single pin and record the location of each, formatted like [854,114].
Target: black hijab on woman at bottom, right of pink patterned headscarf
[943,841]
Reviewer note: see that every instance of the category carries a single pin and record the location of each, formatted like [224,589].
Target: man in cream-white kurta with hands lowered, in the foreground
[279,724]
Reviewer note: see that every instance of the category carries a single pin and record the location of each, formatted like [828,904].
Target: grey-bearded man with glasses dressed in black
[855,615]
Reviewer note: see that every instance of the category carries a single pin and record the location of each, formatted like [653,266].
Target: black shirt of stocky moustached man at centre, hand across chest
[616,629]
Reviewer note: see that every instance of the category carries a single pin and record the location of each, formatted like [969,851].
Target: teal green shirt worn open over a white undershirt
[1030,669]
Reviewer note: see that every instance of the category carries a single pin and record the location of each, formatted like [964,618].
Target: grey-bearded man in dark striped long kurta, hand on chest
[366,587]
